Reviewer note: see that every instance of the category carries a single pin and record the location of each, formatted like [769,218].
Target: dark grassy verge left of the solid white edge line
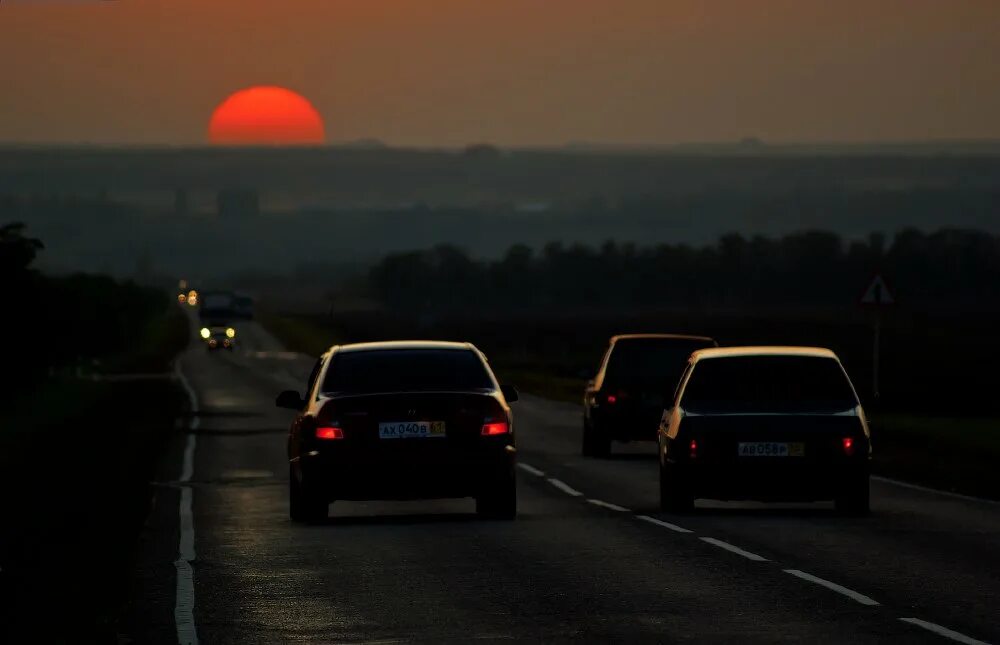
[77,457]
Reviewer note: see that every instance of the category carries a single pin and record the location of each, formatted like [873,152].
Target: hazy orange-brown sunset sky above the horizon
[510,72]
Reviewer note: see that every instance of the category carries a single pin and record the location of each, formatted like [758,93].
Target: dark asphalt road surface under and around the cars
[590,558]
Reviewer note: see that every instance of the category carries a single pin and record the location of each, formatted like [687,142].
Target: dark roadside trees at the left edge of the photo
[52,323]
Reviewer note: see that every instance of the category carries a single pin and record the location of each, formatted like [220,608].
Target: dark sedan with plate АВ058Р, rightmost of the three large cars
[768,424]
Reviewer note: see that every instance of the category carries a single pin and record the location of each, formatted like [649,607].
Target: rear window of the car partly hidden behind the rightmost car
[650,364]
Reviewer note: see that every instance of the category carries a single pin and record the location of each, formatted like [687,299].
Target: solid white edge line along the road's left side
[187,631]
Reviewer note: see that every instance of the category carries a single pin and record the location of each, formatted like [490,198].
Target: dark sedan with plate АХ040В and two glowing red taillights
[401,420]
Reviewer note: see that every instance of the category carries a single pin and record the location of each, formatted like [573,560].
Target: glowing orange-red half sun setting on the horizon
[266,115]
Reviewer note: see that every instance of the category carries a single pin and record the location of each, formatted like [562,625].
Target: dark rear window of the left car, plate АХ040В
[400,370]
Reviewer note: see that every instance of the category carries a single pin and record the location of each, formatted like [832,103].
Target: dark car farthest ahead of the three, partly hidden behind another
[638,373]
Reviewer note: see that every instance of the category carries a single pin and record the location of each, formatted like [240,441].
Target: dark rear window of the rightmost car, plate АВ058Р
[762,384]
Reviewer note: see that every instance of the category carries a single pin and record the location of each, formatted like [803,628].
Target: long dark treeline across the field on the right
[951,267]
